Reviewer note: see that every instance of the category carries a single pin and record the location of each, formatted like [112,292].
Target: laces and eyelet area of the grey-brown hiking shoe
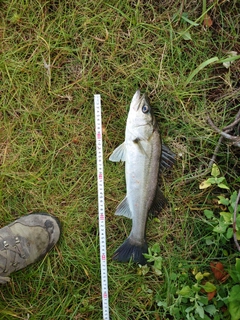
[12,255]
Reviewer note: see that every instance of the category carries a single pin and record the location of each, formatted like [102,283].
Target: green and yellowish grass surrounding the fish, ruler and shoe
[47,141]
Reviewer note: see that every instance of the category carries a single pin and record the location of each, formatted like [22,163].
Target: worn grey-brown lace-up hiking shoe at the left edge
[25,241]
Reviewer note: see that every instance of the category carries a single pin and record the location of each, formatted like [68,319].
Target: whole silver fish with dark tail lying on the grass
[145,157]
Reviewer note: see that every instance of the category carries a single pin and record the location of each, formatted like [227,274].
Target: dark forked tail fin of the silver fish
[131,250]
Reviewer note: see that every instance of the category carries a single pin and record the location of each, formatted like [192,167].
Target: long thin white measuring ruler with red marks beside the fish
[101,206]
